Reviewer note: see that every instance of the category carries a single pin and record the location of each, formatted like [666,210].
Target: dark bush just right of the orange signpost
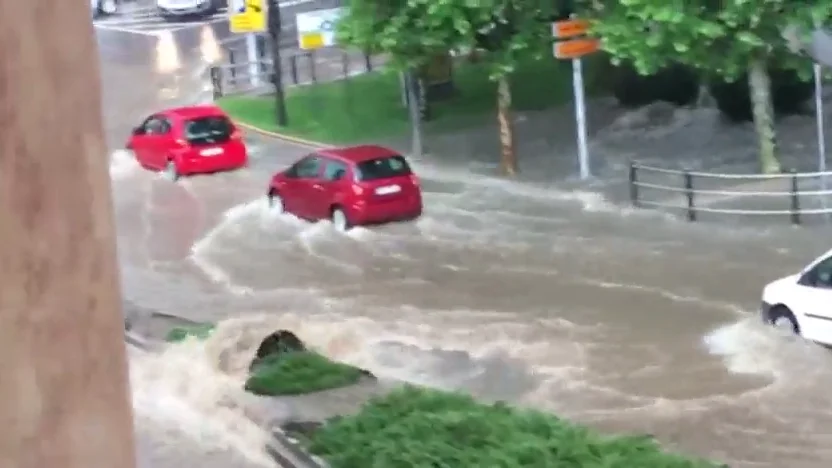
[675,83]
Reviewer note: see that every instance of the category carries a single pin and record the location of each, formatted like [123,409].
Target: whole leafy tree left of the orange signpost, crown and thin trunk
[411,32]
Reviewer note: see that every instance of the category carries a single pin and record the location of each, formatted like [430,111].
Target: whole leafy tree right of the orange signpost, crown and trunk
[729,39]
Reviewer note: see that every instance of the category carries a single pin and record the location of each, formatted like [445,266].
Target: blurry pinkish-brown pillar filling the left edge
[64,396]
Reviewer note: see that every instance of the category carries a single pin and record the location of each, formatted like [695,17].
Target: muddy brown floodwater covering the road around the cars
[554,299]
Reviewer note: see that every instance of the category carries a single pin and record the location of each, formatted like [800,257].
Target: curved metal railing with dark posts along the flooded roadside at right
[793,194]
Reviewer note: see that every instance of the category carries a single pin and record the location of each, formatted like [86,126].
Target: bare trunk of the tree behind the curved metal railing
[759,84]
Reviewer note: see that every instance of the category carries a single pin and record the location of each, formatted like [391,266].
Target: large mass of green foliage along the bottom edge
[416,427]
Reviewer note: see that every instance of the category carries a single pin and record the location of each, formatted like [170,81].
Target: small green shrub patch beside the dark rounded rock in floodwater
[296,373]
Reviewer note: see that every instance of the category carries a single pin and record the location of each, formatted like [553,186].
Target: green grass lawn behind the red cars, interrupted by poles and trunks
[369,107]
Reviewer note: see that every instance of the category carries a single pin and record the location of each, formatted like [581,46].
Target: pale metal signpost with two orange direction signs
[573,44]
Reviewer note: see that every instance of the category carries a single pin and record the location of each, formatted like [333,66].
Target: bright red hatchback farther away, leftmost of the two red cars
[189,140]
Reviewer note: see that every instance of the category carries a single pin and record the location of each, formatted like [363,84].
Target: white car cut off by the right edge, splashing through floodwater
[802,304]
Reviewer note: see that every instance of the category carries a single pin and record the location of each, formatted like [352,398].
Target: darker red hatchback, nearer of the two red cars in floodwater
[350,186]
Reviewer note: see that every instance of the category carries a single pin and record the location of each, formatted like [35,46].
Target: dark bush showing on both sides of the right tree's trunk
[788,92]
